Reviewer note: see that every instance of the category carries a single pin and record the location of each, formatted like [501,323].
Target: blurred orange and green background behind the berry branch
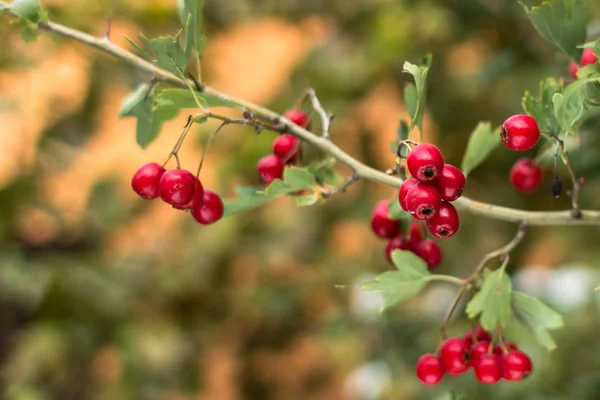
[106,296]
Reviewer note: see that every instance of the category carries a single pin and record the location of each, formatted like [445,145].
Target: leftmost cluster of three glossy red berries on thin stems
[179,188]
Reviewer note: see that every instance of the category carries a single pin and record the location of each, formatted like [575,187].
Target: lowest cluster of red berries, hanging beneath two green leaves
[475,350]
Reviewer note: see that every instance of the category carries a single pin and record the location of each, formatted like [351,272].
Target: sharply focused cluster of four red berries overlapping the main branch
[434,184]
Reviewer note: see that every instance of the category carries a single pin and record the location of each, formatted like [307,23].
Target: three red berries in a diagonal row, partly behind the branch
[287,150]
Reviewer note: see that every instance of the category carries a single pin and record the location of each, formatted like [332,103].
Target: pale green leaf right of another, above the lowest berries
[537,317]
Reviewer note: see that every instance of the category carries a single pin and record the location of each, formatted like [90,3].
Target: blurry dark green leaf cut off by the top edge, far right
[562,23]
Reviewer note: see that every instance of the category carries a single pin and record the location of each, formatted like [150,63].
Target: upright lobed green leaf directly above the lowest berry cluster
[493,301]
